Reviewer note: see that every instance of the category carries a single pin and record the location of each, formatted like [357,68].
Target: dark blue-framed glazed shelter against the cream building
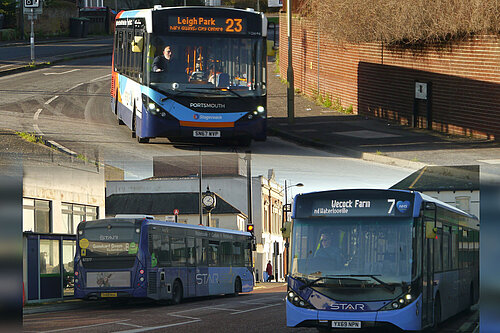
[48,268]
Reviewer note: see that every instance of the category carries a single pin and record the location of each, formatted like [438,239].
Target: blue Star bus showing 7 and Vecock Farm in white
[380,258]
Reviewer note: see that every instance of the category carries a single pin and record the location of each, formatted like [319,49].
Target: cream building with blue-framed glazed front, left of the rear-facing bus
[56,197]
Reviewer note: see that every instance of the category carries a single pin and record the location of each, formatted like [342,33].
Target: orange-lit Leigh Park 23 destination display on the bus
[207,24]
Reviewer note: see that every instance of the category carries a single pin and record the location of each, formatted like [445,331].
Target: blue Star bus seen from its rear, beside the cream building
[144,258]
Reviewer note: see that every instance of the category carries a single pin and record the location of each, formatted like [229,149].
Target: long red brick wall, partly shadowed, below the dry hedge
[380,81]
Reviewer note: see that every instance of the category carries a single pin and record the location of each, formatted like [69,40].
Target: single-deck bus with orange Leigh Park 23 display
[195,73]
